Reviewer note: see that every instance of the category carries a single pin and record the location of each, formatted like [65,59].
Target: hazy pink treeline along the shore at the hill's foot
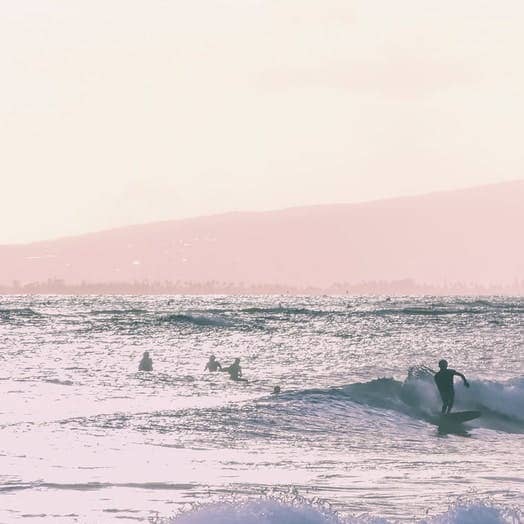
[145,287]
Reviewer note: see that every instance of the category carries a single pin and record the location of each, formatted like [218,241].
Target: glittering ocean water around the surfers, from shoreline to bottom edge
[353,436]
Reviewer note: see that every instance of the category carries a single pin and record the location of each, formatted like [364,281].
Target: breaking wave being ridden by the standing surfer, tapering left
[328,410]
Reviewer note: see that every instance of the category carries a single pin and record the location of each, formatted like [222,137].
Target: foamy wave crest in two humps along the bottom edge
[301,511]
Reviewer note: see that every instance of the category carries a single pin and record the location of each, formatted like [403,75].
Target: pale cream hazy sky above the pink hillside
[115,112]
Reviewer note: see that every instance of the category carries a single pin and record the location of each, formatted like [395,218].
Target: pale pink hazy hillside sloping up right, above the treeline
[472,235]
